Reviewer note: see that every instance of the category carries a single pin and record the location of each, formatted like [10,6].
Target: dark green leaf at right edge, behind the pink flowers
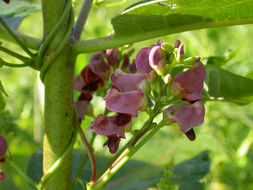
[224,85]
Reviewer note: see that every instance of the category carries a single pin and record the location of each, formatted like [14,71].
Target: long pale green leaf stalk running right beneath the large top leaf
[115,41]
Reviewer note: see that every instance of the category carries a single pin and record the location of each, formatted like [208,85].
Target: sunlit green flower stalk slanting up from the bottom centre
[128,153]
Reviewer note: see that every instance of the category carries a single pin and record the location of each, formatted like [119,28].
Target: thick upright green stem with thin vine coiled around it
[58,99]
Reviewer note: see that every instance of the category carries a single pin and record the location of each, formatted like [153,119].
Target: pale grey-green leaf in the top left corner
[14,12]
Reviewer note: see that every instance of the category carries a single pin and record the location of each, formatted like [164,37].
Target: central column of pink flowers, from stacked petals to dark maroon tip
[125,97]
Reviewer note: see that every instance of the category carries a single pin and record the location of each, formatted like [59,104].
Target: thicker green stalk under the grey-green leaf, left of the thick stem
[30,42]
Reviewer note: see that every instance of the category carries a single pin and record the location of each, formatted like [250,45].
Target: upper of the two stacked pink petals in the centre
[125,82]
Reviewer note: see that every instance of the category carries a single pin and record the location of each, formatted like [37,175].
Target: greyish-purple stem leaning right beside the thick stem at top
[81,20]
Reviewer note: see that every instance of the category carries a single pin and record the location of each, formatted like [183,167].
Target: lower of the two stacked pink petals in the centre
[125,102]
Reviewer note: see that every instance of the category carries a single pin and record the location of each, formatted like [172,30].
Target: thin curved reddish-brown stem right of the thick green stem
[90,153]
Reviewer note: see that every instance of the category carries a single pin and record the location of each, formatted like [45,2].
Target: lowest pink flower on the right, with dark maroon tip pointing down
[187,117]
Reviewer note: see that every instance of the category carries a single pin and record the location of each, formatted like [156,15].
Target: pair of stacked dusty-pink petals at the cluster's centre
[126,95]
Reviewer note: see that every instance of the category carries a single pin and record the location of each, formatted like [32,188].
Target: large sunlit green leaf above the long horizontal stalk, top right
[155,18]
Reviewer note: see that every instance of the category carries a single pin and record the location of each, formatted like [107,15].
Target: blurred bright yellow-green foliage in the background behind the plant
[227,132]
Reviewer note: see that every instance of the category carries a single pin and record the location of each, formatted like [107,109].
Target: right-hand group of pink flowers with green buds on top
[160,59]
